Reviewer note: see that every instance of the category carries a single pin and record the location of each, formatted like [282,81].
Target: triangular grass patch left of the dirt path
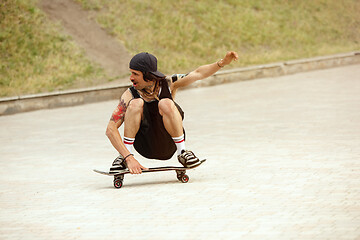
[35,57]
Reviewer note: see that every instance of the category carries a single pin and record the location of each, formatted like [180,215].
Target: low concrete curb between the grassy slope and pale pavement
[68,98]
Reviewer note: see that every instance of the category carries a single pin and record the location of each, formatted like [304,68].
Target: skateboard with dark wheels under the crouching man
[180,173]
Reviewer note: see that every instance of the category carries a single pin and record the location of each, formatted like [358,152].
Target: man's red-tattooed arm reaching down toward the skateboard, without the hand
[117,119]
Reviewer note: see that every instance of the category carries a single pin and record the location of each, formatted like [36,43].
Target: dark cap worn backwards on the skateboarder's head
[145,62]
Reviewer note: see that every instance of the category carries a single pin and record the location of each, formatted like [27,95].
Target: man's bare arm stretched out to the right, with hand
[204,71]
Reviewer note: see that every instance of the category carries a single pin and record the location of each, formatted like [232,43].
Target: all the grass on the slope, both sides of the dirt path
[36,56]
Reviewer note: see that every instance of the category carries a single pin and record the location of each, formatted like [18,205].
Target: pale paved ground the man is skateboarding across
[283,163]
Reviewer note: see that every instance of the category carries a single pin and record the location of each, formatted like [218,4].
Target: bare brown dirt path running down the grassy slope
[99,46]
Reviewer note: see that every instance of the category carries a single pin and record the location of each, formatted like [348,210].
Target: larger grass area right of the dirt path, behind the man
[184,34]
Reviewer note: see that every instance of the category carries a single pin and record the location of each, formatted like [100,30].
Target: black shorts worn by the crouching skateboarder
[152,140]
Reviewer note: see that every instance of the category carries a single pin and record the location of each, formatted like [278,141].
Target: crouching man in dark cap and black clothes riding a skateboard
[152,120]
